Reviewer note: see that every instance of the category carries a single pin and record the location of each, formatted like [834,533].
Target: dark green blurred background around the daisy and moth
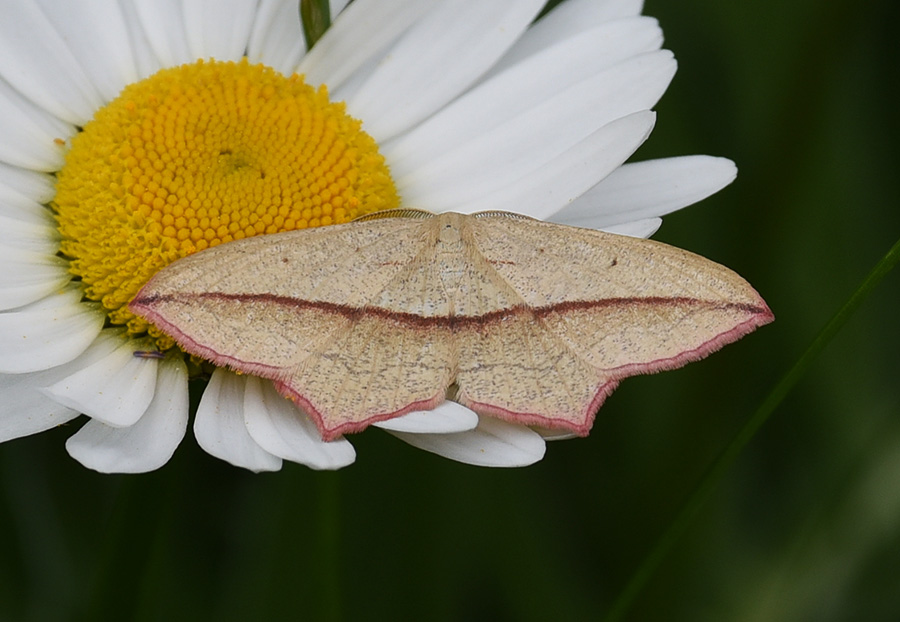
[806,526]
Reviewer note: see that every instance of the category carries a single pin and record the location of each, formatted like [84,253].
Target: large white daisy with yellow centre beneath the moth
[135,132]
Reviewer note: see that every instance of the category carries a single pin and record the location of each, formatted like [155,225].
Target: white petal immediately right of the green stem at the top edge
[361,31]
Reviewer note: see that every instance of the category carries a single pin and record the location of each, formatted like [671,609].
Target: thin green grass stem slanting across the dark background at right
[717,470]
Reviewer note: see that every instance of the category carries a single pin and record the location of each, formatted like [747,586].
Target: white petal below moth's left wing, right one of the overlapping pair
[282,429]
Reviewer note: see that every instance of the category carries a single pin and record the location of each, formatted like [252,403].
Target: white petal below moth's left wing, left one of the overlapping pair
[219,424]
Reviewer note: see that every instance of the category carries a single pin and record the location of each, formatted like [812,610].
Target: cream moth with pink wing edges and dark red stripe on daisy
[532,322]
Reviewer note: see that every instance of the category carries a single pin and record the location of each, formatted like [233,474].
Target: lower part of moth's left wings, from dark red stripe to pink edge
[345,368]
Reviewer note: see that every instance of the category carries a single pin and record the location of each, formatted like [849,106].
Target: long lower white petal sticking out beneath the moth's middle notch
[493,443]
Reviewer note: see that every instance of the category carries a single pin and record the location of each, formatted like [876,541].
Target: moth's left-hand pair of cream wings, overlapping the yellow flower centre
[334,316]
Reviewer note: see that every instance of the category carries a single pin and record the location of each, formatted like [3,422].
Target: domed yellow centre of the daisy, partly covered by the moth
[203,154]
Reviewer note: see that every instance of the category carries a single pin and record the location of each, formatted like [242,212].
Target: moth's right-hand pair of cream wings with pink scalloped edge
[596,308]
